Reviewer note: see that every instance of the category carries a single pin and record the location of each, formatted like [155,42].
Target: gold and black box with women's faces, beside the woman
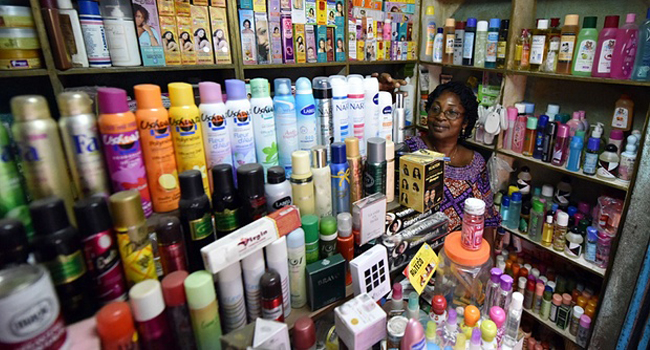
[421,180]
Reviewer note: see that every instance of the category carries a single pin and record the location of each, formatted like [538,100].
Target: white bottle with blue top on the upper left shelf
[94,33]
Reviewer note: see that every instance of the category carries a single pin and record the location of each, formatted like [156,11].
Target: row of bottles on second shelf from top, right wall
[554,138]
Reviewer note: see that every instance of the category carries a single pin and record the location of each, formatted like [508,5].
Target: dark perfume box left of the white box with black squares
[325,281]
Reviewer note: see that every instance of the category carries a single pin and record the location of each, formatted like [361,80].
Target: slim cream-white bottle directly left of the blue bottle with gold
[322,181]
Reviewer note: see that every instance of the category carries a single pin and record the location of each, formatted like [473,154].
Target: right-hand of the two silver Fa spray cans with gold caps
[80,134]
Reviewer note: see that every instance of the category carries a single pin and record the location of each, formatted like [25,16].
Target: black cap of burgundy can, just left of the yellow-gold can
[92,216]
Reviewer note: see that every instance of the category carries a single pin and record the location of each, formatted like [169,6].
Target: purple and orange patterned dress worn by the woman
[460,183]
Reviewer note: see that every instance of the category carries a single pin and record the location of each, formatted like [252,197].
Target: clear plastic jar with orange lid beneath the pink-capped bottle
[462,274]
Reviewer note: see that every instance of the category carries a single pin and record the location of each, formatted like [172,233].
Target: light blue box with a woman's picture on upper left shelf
[151,47]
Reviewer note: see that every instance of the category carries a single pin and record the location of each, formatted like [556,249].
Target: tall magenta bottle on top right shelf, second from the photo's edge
[625,50]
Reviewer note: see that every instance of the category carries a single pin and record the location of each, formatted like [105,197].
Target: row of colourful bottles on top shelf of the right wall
[617,53]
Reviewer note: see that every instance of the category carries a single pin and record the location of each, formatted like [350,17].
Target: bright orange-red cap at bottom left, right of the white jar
[115,321]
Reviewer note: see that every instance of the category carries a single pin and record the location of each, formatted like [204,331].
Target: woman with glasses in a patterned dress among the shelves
[452,113]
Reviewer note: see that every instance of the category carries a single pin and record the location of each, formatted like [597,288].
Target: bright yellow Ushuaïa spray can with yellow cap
[187,131]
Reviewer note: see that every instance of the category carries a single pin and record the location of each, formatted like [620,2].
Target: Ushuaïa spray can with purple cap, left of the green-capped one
[242,138]
